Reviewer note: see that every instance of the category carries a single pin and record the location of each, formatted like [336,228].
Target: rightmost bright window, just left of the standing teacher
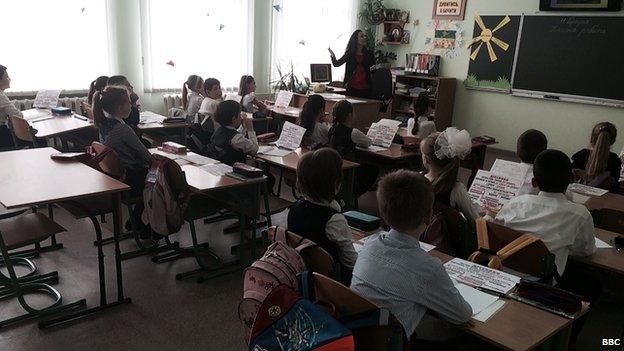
[303,30]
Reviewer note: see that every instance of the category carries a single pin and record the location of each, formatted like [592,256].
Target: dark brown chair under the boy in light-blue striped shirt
[349,305]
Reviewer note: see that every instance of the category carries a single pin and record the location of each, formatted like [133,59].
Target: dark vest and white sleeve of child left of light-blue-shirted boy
[323,223]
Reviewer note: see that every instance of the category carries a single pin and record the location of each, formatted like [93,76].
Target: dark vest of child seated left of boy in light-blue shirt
[309,220]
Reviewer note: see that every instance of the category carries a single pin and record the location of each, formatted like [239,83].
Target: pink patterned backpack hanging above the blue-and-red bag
[280,264]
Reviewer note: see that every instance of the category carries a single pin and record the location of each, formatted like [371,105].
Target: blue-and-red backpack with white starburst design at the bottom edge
[286,321]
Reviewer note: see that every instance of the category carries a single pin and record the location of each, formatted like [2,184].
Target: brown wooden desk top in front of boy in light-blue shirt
[516,326]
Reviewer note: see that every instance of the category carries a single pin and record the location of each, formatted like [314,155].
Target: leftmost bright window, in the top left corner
[54,44]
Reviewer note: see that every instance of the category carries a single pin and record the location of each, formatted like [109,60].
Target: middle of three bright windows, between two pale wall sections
[184,37]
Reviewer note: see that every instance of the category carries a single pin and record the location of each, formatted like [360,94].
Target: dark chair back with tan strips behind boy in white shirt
[501,246]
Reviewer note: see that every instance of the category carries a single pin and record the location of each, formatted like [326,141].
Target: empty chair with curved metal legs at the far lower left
[18,232]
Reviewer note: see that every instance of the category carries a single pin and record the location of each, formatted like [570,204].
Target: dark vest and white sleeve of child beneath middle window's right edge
[229,146]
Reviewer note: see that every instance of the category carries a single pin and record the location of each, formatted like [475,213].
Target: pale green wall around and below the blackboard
[567,125]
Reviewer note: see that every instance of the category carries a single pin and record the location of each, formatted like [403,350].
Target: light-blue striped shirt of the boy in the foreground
[395,273]
